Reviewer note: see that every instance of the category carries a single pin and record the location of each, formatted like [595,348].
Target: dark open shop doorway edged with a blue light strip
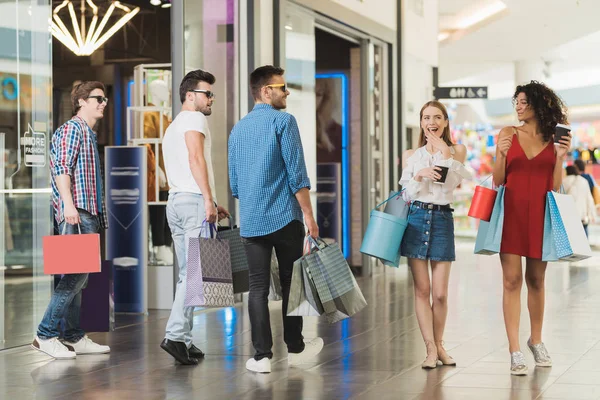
[337,108]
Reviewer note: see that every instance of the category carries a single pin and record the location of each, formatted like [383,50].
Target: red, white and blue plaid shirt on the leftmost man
[73,152]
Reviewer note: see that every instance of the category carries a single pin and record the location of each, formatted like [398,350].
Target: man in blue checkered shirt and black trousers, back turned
[267,173]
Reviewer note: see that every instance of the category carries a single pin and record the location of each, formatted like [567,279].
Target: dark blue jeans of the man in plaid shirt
[65,303]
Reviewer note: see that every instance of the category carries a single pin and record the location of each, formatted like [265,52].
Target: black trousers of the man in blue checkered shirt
[288,243]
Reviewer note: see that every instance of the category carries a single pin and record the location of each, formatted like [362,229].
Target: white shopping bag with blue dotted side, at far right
[564,236]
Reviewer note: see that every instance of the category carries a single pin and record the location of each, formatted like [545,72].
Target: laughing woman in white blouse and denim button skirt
[429,237]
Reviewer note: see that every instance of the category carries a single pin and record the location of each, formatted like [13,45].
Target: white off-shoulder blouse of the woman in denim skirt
[427,191]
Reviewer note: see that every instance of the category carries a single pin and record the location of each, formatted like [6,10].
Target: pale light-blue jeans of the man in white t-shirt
[185,214]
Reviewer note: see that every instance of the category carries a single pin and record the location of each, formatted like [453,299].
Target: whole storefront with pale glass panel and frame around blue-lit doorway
[337,77]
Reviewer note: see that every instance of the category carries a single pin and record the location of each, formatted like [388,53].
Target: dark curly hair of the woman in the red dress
[548,107]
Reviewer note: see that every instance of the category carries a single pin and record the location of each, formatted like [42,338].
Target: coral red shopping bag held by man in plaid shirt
[71,254]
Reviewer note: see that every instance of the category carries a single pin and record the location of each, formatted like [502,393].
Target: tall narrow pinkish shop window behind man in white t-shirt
[210,35]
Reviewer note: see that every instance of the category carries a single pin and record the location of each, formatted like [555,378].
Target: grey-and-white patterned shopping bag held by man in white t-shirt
[209,280]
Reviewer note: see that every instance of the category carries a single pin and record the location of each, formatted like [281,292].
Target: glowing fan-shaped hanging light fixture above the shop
[85,43]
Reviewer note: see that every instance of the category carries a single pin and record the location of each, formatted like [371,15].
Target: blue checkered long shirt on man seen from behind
[266,169]
